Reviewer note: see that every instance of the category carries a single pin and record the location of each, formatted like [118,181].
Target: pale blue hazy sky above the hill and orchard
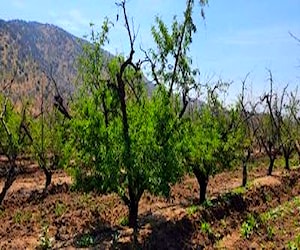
[237,36]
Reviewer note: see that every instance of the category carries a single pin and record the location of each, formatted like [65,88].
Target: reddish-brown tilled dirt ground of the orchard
[266,214]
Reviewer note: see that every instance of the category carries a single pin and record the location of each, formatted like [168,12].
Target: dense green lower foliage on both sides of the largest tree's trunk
[98,148]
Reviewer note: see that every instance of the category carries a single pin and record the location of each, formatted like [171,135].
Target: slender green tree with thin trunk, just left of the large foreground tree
[47,133]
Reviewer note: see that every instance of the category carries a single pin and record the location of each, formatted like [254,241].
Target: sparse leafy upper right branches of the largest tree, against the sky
[170,63]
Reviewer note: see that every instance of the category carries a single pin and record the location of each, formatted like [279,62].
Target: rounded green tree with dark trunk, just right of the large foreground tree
[212,140]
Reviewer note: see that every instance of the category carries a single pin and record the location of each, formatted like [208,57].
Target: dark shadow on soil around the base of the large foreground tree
[164,235]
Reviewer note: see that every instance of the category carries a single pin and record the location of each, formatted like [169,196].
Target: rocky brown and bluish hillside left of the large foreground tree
[30,52]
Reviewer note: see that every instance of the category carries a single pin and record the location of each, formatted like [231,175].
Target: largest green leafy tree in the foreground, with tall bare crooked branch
[123,140]
